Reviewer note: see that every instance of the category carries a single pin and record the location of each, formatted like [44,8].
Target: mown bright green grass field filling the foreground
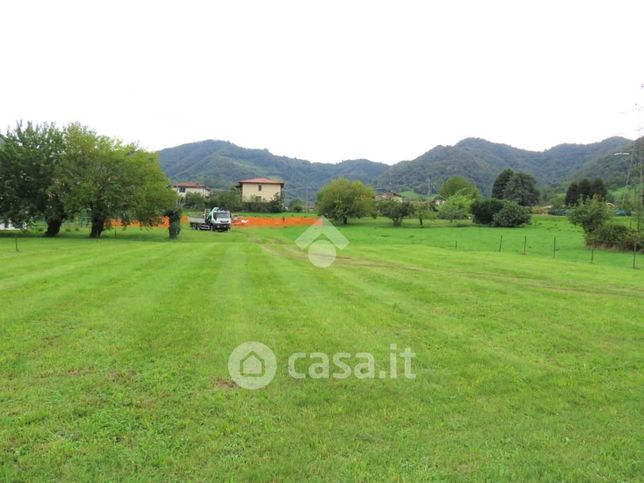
[113,356]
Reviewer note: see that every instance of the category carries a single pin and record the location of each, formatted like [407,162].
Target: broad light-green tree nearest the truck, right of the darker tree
[112,180]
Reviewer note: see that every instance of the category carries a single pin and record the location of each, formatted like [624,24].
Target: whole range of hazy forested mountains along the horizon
[220,164]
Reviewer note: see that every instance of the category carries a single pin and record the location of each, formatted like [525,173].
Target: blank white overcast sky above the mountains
[327,80]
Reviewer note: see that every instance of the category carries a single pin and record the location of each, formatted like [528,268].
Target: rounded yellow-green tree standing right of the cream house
[342,199]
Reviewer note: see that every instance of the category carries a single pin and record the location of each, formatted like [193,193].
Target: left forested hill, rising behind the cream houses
[221,164]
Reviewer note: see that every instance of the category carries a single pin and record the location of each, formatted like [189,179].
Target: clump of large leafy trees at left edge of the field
[57,174]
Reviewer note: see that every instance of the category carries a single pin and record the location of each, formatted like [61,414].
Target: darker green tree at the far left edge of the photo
[29,158]
